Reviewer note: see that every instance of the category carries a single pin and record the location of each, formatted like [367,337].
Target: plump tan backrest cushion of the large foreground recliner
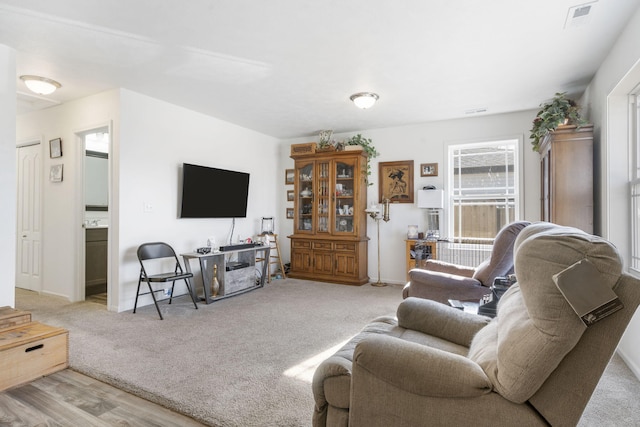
[535,326]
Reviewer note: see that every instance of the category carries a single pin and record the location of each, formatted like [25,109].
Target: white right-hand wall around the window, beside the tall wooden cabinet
[606,104]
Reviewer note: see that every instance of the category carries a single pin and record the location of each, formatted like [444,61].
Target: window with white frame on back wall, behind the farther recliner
[483,188]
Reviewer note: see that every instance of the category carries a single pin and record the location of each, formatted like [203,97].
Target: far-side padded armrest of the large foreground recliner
[440,320]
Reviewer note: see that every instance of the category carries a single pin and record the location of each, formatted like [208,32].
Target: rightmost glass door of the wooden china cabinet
[345,196]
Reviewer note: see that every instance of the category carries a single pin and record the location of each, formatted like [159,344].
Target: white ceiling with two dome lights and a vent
[287,67]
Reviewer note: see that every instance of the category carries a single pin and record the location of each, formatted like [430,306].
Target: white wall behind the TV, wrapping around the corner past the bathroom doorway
[150,140]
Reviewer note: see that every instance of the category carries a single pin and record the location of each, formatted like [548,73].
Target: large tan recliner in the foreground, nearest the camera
[536,363]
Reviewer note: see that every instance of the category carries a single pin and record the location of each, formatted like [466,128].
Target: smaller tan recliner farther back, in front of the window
[441,281]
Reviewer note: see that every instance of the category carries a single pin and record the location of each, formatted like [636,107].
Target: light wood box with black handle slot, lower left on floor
[30,351]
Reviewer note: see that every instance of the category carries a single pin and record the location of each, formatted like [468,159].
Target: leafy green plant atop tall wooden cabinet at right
[554,113]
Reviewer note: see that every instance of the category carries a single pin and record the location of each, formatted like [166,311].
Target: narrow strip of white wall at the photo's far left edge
[7,175]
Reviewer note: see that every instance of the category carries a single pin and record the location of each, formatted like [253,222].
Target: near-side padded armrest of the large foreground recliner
[419,369]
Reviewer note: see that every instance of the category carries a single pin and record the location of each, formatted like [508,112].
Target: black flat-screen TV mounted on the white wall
[213,193]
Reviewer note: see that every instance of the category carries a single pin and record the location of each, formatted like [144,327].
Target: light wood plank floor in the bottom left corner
[68,398]
